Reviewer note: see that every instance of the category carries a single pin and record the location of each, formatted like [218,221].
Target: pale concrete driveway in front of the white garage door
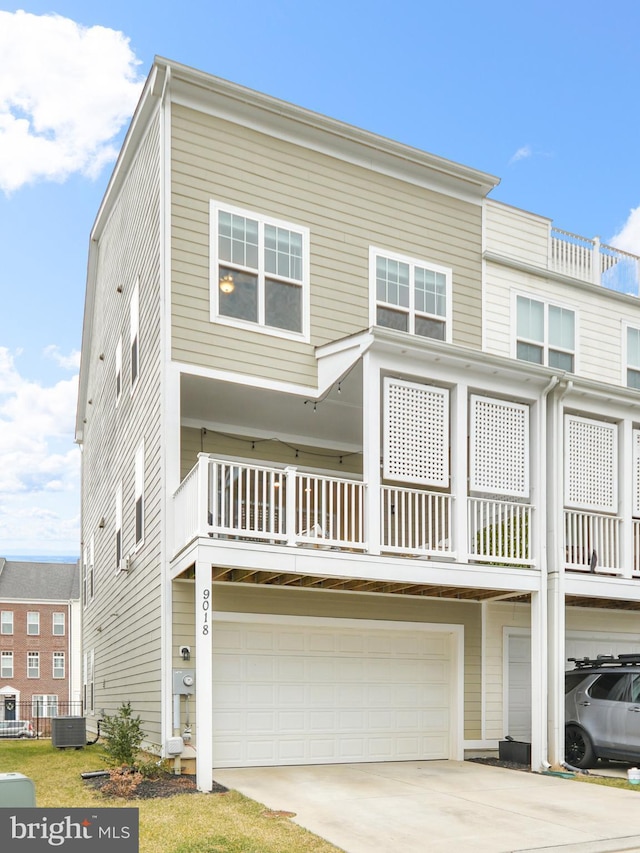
[445,807]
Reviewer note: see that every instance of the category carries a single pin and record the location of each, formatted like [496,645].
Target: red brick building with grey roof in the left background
[39,638]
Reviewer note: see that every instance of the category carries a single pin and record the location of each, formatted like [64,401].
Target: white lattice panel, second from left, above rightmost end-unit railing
[499,448]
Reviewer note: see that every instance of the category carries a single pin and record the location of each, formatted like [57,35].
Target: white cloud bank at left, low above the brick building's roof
[40,472]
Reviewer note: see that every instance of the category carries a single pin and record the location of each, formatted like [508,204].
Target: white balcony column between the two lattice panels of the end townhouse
[459,464]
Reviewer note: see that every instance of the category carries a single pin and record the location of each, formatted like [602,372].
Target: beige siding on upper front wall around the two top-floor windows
[347,208]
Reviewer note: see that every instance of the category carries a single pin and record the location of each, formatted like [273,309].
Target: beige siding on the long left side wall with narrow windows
[122,623]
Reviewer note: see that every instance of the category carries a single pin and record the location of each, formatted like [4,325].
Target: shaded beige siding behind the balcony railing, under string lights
[265,452]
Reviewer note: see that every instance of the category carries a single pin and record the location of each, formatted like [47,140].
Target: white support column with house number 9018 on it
[204,676]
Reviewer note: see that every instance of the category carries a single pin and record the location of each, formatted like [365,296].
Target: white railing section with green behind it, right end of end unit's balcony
[499,532]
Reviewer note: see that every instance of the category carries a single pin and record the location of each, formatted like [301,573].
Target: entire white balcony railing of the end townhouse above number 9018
[230,500]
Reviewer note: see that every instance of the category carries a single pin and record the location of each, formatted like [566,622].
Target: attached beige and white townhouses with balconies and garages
[360,465]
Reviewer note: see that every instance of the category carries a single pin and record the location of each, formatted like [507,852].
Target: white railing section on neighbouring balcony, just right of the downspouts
[592,542]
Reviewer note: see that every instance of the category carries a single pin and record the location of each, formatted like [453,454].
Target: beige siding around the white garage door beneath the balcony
[297,602]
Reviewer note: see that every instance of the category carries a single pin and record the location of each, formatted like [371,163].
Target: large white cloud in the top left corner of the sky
[65,93]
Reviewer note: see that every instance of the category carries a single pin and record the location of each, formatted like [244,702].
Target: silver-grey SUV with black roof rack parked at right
[602,710]
